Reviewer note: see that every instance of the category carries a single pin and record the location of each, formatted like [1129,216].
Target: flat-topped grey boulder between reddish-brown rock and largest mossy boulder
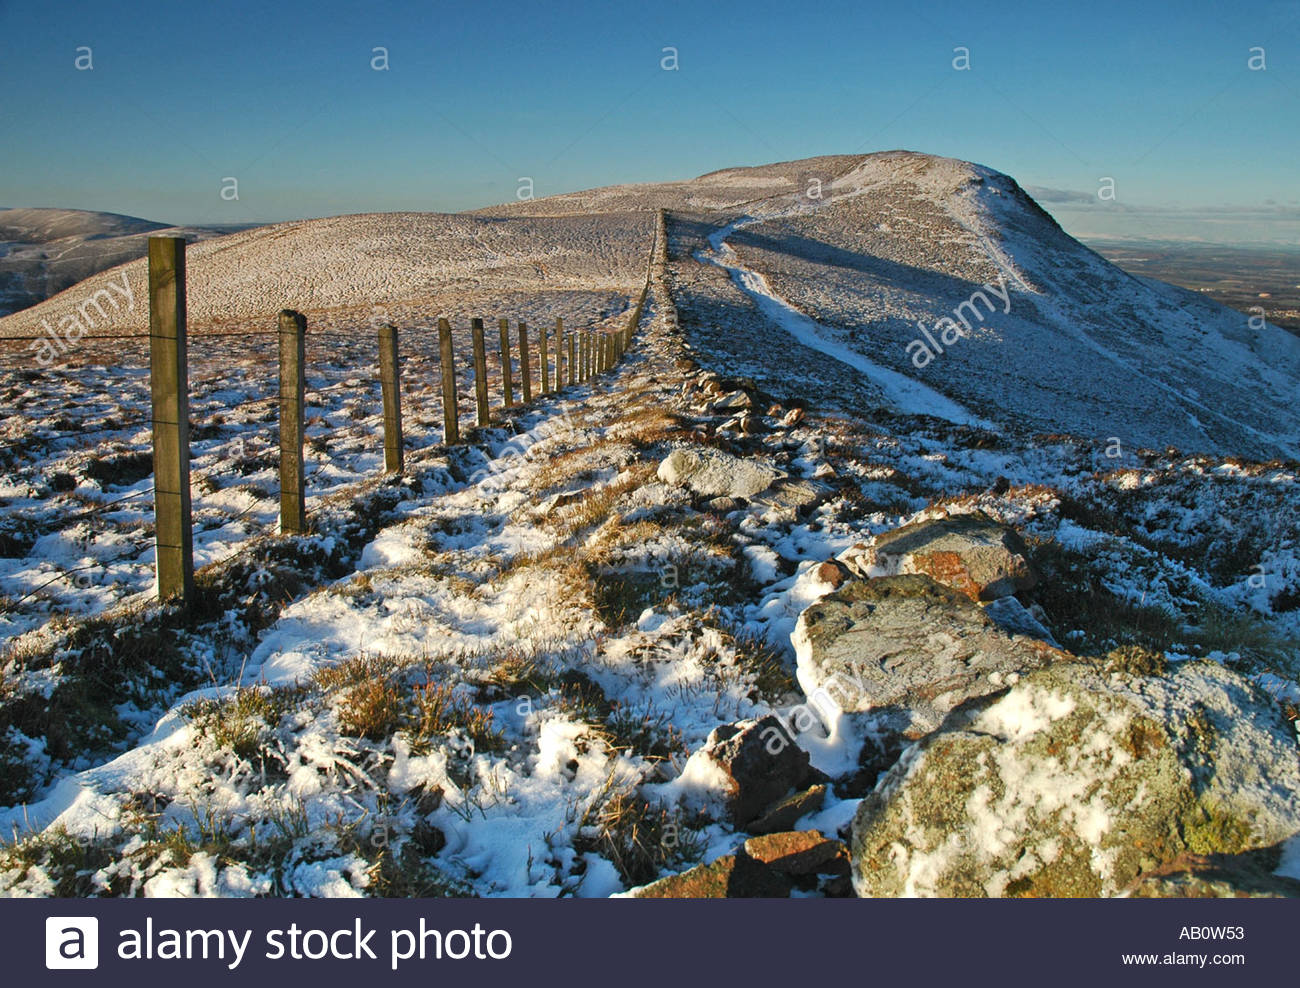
[908,643]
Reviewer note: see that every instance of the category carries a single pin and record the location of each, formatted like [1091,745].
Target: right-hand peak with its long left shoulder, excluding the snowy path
[1054,337]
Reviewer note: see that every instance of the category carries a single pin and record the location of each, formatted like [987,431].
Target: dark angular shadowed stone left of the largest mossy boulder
[762,765]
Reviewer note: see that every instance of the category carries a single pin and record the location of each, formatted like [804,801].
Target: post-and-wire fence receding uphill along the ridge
[526,369]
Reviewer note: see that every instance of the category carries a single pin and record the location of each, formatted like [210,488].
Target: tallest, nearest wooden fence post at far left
[170,384]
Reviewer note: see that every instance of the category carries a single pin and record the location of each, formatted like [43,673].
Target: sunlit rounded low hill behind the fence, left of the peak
[379,259]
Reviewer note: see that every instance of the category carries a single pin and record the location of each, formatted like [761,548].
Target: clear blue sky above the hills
[284,99]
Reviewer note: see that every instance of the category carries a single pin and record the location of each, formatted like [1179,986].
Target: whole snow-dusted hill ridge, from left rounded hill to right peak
[895,280]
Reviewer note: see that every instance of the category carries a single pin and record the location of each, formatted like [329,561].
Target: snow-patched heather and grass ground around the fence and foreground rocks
[489,677]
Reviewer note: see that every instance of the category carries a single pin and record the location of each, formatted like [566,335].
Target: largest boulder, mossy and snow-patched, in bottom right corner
[1078,782]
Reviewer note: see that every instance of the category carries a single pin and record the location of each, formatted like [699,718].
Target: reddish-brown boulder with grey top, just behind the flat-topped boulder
[969,553]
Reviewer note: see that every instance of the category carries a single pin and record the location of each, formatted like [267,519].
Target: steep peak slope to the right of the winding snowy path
[1052,336]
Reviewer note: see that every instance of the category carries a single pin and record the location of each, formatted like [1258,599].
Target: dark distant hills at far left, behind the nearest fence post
[45,252]
